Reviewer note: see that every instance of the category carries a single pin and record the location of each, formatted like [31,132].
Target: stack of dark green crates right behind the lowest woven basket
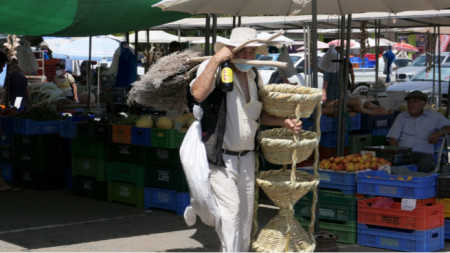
[337,214]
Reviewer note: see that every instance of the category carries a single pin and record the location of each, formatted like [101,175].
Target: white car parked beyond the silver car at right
[418,65]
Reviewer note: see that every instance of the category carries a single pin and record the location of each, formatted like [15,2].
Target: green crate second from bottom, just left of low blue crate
[126,172]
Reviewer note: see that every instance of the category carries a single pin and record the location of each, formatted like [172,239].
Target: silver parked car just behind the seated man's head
[423,81]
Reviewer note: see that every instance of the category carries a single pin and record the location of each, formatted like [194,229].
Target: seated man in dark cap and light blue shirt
[419,129]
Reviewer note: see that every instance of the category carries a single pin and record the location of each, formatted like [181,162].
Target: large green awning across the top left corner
[80,17]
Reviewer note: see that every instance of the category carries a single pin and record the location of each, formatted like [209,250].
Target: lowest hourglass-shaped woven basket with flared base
[284,233]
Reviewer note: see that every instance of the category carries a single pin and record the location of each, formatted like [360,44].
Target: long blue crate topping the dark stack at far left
[33,127]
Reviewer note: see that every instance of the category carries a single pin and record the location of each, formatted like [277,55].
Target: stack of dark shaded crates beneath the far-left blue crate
[38,161]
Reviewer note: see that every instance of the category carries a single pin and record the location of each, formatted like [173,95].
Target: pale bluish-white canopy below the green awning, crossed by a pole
[103,47]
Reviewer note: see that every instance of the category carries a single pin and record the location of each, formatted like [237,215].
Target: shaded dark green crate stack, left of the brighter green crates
[89,155]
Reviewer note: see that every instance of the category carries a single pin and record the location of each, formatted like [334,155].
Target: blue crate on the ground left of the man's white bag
[160,198]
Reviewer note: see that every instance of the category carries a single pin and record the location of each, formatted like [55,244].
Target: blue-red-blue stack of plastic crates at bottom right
[404,216]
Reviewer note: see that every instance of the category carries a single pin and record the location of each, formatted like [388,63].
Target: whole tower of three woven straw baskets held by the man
[281,146]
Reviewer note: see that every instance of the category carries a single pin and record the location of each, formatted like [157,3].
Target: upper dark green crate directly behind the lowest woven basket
[333,206]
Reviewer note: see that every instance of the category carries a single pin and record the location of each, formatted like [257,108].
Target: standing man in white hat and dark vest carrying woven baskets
[229,125]
